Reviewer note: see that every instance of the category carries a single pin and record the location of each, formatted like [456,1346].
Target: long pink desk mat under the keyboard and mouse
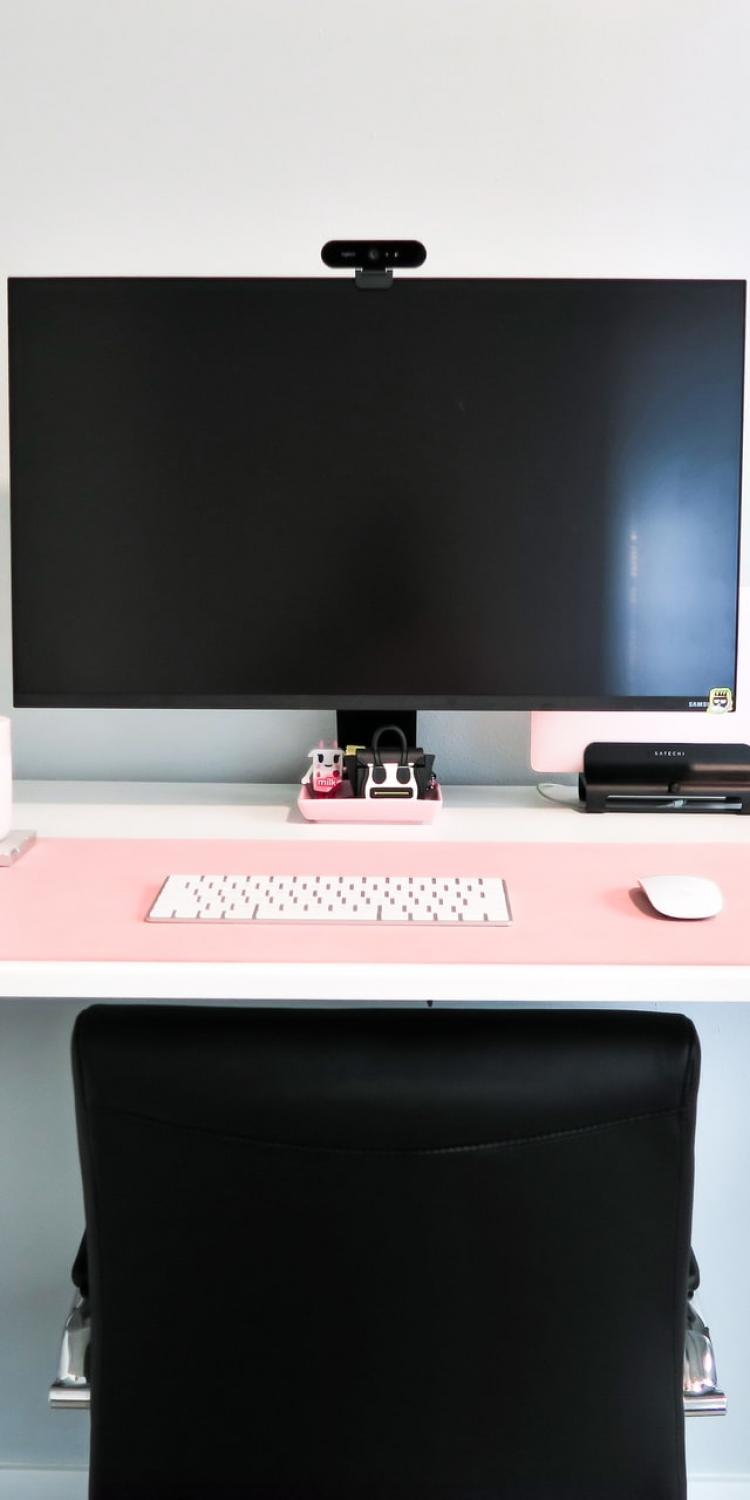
[86,899]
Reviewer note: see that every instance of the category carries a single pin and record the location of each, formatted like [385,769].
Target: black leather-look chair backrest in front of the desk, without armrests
[344,1255]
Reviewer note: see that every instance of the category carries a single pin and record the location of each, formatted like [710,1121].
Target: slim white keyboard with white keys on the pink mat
[449,901]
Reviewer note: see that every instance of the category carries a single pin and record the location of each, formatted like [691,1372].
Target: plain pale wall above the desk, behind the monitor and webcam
[515,137]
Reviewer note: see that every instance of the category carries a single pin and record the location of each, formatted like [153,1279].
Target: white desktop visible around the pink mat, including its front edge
[500,815]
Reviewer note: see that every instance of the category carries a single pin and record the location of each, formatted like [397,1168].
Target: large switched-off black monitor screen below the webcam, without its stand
[443,494]
